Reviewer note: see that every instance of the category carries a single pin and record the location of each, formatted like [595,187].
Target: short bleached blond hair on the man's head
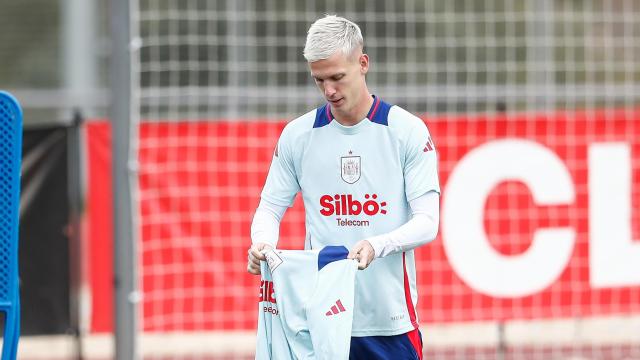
[330,34]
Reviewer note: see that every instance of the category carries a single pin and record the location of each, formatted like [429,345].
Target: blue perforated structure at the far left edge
[11,155]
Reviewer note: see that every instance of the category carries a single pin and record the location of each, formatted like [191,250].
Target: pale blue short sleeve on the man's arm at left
[282,185]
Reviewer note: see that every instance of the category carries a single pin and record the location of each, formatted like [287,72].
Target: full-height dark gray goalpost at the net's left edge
[124,124]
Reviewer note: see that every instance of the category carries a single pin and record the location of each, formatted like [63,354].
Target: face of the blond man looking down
[341,79]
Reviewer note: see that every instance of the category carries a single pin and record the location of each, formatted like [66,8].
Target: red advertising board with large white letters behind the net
[539,219]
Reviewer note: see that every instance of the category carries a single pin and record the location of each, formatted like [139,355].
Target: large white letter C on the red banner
[471,255]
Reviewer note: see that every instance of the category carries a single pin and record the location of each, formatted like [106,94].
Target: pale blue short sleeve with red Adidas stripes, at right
[421,163]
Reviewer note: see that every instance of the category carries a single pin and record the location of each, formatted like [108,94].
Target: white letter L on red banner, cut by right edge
[614,258]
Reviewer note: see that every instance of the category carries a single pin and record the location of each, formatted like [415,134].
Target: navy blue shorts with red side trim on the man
[398,347]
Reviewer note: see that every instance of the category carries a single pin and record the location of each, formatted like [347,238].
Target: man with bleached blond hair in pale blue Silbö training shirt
[367,171]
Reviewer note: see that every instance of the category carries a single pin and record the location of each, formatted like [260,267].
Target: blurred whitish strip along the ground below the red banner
[597,331]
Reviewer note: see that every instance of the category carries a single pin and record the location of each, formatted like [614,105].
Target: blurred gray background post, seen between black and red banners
[80,70]
